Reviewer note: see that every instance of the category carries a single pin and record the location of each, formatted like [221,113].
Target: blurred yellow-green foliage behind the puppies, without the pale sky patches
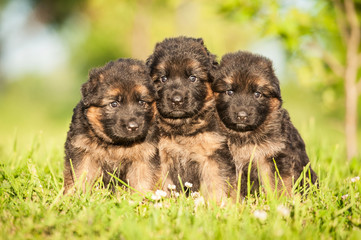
[95,32]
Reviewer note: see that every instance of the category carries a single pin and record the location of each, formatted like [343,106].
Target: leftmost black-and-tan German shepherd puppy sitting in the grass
[112,128]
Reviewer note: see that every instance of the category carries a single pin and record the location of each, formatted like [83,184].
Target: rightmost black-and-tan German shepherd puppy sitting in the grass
[249,104]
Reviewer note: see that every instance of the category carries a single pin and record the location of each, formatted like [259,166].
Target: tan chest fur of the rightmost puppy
[242,153]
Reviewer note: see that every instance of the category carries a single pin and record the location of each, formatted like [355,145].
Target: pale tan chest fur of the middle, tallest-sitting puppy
[182,150]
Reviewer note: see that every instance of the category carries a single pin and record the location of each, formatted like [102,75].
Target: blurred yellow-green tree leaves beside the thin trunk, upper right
[307,32]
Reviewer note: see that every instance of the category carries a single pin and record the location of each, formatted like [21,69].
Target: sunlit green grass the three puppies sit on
[32,205]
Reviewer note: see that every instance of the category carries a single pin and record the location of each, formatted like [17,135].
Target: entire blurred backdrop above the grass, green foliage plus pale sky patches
[48,46]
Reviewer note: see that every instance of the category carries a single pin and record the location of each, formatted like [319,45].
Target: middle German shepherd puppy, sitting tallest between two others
[191,146]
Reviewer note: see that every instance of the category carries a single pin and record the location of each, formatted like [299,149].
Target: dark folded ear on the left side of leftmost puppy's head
[89,90]
